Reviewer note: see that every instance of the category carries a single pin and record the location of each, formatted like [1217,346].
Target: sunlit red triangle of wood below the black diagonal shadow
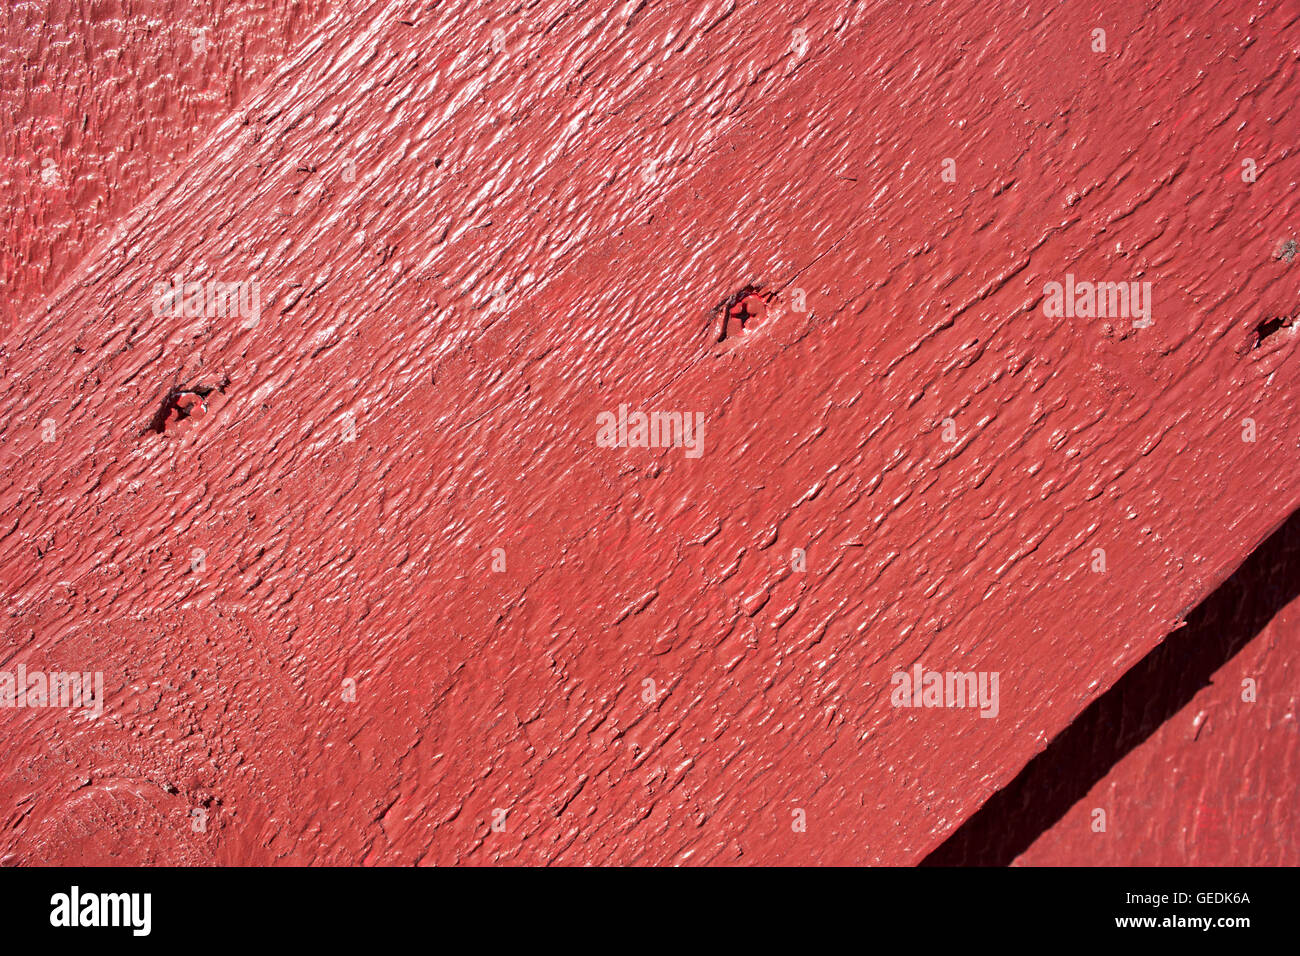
[1225,775]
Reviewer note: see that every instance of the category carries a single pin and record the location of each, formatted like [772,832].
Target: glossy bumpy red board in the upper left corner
[102,103]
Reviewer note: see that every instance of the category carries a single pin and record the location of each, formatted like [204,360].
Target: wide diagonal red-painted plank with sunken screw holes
[549,223]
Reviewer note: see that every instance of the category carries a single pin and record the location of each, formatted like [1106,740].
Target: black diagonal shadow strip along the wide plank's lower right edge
[1150,694]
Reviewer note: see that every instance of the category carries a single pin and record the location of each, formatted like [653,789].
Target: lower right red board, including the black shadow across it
[1190,759]
